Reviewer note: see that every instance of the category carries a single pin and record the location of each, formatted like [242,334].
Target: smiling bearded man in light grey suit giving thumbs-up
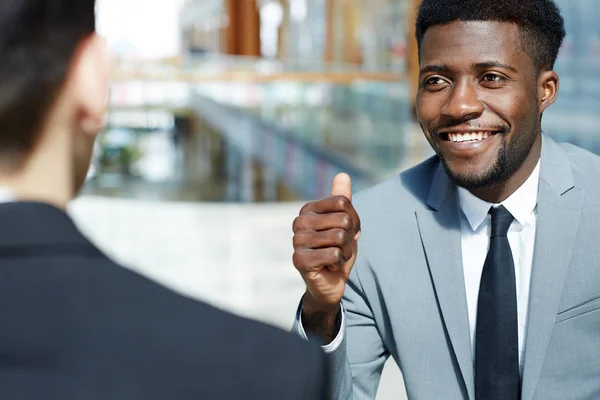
[477,270]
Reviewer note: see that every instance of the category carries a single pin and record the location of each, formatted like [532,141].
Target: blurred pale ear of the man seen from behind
[90,83]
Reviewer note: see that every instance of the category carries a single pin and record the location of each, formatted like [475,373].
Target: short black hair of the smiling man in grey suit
[541,22]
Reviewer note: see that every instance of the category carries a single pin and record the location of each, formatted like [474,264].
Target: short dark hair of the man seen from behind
[38,39]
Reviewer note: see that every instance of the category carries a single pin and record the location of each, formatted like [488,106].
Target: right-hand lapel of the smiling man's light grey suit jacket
[559,207]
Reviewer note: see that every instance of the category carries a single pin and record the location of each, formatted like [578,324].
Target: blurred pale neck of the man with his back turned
[44,175]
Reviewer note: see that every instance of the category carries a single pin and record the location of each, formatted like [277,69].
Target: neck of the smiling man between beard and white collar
[499,193]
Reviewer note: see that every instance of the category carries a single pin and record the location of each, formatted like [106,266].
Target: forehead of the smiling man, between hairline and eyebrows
[472,42]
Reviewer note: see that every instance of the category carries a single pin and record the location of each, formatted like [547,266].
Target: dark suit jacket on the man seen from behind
[75,325]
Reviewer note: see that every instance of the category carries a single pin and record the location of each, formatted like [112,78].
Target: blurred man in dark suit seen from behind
[73,324]
